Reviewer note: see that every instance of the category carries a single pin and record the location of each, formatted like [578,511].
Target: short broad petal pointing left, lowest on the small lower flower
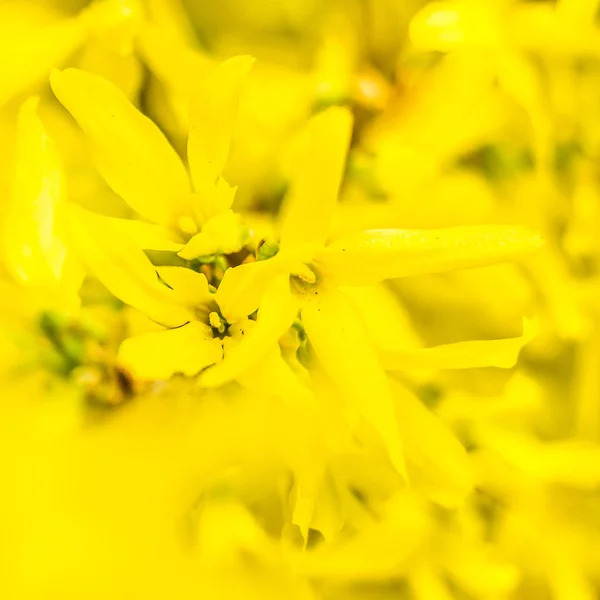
[160,354]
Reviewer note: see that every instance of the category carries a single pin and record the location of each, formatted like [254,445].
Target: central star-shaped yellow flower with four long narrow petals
[318,272]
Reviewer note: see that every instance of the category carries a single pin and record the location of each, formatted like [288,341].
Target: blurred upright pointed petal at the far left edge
[33,251]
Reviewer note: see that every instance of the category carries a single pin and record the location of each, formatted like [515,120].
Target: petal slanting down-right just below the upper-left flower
[122,267]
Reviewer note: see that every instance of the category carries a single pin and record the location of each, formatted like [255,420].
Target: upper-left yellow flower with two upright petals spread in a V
[138,163]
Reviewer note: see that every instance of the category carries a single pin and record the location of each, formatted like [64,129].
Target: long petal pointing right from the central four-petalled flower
[371,256]
